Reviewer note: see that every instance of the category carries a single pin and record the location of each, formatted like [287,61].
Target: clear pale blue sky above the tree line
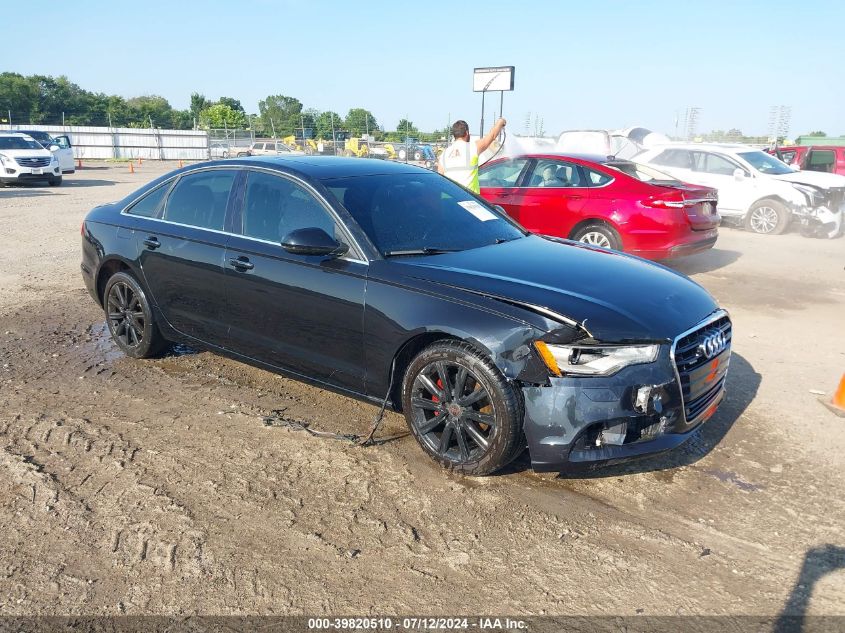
[578,64]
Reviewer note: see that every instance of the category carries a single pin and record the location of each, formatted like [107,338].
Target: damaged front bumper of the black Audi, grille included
[576,423]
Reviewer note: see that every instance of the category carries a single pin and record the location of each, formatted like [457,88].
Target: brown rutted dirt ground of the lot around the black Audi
[156,487]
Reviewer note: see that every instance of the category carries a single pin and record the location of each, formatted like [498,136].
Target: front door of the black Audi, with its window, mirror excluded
[301,313]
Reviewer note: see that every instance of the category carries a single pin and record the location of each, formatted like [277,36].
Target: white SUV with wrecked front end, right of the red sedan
[754,187]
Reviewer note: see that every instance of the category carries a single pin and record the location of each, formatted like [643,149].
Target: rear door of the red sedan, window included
[555,193]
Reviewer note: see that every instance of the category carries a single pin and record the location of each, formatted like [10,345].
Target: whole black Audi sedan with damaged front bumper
[390,283]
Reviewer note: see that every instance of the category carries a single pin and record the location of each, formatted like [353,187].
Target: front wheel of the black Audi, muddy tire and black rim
[462,410]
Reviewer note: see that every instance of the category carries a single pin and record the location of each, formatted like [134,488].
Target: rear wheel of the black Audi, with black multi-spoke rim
[130,318]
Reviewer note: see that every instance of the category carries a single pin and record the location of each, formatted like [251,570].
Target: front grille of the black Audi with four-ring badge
[702,379]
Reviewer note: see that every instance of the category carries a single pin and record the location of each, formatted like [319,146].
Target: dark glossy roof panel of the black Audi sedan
[323,167]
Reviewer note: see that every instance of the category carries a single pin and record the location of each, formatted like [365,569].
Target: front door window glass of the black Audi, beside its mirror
[274,206]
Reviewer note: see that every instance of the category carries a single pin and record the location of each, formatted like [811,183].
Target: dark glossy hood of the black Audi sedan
[615,297]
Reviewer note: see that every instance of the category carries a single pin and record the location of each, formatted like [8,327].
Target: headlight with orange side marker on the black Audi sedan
[590,360]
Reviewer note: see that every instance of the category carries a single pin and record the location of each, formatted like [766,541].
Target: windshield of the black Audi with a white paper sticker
[420,212]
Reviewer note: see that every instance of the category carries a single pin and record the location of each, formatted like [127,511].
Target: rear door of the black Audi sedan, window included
[182,253]
